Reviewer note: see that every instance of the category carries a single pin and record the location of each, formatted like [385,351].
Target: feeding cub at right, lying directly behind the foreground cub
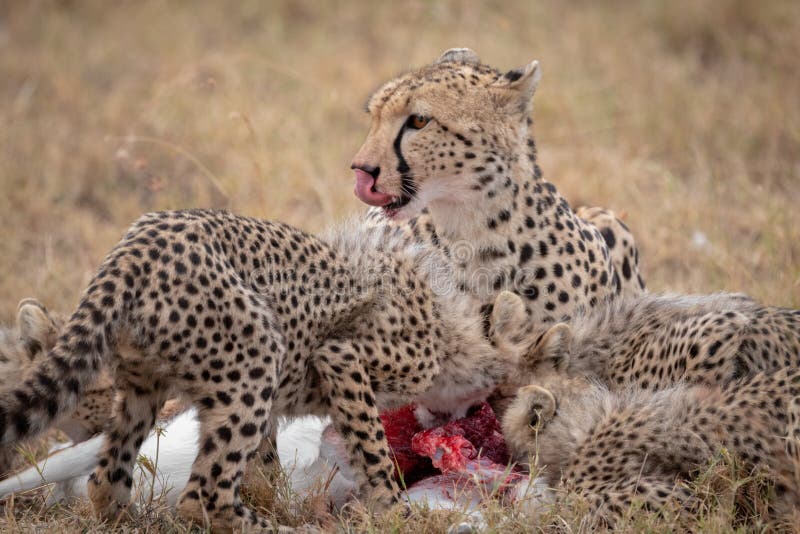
[653,341]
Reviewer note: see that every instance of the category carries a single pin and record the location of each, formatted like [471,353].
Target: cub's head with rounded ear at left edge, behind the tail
[35,333]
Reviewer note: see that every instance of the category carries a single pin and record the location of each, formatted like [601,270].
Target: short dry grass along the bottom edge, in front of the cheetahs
[730,500]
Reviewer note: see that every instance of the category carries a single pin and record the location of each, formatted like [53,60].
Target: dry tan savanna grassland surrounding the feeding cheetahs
[681,115]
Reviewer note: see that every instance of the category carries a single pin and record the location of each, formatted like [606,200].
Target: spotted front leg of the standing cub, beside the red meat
[355,417]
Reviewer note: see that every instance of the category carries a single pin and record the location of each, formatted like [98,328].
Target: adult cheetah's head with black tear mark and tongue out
[440,135]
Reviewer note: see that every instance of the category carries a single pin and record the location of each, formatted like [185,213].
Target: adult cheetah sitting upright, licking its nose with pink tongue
[449,158]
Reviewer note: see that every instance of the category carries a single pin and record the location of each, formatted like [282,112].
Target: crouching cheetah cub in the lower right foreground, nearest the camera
[614,448]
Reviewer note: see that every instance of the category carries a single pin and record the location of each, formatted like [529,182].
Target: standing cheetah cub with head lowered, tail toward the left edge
[251,320]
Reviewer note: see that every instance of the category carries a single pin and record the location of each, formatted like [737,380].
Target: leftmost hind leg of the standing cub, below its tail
[134,414]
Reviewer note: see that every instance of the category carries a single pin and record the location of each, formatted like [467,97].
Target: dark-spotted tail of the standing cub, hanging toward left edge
[53,387]
